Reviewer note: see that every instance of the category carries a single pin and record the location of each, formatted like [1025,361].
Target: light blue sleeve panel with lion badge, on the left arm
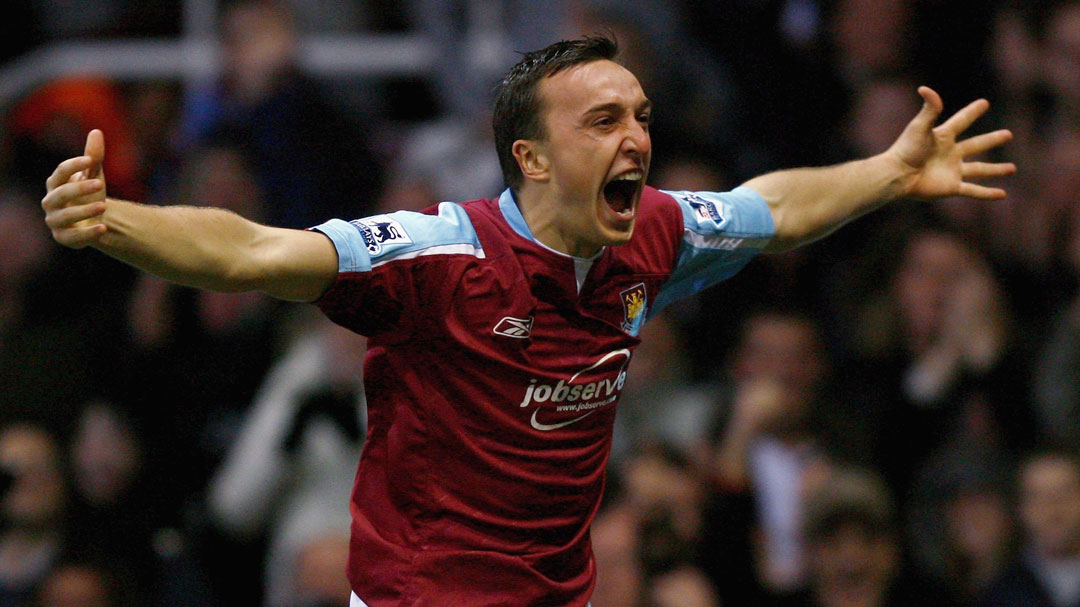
[368,244]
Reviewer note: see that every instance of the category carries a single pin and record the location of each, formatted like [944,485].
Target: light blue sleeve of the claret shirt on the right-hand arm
[722,233]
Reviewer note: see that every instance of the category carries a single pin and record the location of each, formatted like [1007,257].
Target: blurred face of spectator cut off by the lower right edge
[1050,506]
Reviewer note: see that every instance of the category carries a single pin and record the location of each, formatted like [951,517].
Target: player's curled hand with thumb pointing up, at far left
[75,199]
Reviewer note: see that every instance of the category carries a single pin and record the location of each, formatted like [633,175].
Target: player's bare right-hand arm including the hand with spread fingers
[926,163]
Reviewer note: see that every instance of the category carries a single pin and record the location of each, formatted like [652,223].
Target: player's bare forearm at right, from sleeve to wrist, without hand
[809,204]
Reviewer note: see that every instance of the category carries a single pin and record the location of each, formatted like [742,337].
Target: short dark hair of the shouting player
[518,110]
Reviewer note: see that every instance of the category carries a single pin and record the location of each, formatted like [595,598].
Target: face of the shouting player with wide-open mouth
[598,150]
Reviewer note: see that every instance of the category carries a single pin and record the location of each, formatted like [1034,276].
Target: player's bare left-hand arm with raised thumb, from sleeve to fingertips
[198,247]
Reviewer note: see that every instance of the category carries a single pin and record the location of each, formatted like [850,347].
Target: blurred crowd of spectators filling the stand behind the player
[887,417]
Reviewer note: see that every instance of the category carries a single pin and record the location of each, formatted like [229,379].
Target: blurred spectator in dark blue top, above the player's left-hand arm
[286,122]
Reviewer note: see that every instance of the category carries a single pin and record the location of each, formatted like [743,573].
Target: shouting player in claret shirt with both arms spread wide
[501,330]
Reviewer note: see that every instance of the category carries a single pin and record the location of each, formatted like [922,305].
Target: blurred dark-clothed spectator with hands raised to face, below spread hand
[941,362]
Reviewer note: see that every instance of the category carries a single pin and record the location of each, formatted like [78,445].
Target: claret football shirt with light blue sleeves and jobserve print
[493,372]
